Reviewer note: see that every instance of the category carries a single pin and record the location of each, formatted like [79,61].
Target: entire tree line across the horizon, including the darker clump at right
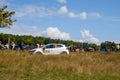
[31,40]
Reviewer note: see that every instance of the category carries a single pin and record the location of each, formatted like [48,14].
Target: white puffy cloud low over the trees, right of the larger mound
[88,37]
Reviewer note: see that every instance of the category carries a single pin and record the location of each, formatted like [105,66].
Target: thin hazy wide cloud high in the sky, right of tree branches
[34,11]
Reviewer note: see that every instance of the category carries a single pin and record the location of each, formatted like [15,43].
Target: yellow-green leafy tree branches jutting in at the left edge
[5,17]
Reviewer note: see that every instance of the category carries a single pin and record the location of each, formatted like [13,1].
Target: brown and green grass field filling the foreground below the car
[19,65]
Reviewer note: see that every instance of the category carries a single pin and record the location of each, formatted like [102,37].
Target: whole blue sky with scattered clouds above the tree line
[91,21]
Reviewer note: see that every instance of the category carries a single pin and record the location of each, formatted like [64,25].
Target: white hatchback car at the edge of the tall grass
[51,49]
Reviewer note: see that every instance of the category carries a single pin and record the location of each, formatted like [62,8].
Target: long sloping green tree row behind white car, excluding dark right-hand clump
[31,40]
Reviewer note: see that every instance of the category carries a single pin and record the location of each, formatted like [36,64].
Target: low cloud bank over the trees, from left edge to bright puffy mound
[52,32]
